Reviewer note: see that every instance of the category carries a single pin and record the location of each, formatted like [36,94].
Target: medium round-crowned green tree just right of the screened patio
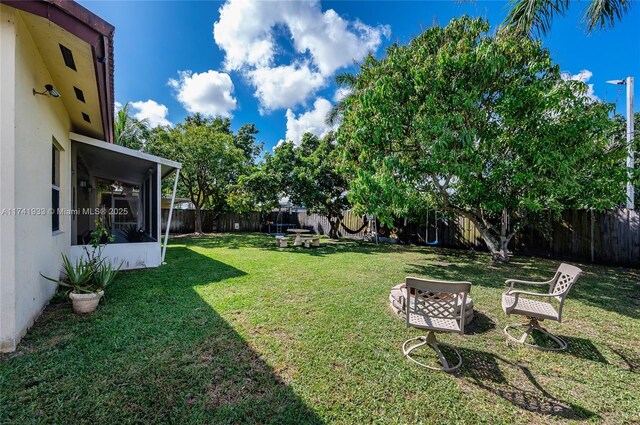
[211,161]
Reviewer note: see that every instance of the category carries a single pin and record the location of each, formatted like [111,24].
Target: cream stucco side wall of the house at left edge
[29,247]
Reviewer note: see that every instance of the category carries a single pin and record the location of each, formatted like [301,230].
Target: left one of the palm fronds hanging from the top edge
[528,16]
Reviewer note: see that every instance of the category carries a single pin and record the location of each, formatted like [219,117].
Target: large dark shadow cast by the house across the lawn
[155,352]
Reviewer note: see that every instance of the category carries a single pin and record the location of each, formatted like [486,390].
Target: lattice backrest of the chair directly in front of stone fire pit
[437,299]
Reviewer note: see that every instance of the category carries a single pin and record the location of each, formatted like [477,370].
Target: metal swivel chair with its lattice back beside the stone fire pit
[432,305]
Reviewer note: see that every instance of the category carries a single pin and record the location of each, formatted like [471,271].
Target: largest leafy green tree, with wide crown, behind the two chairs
[480,126]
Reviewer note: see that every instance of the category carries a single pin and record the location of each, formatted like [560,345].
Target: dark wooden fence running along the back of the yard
[611,237]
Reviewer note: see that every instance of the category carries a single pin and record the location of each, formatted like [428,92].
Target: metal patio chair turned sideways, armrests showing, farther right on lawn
[518,302]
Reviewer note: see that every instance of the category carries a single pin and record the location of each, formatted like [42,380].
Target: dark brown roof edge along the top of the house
[93,30]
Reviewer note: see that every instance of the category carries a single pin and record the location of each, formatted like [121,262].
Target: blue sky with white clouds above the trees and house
[272,63]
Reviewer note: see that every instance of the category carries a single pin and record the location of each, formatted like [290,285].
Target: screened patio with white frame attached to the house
[122,188]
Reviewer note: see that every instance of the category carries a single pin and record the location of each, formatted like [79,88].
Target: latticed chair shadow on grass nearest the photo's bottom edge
[483,370]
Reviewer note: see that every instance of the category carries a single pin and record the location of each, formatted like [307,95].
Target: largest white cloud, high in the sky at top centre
[323,42]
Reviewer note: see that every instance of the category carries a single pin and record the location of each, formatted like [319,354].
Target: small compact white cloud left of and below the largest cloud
[209,93]
